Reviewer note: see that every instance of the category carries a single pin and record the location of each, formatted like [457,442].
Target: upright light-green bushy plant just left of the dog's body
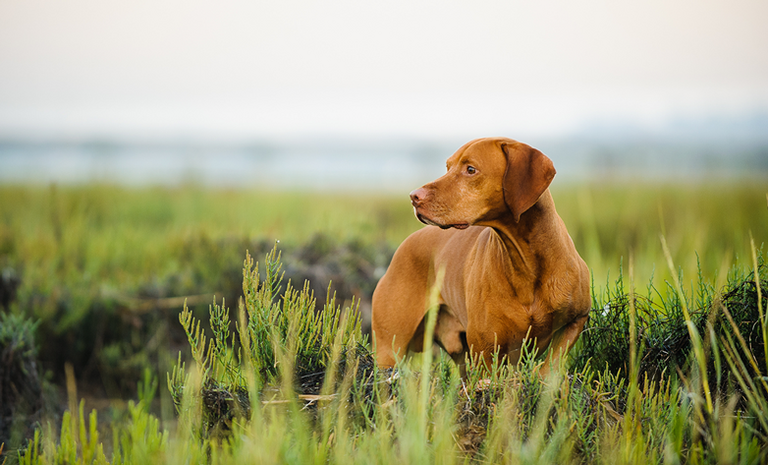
[280,338]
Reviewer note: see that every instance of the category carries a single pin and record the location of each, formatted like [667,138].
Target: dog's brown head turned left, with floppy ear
[487,180]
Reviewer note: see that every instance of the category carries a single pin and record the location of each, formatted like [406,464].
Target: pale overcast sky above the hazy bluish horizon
[189,68]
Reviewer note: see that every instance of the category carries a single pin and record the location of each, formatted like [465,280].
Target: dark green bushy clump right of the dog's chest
[661,331]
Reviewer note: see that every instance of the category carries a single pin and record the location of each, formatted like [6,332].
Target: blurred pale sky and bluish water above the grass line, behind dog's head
[358,95]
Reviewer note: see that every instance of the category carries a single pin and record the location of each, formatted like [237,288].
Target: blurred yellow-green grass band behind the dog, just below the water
[108,236]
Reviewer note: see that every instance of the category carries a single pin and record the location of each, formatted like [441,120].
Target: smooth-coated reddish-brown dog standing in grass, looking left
[511,269]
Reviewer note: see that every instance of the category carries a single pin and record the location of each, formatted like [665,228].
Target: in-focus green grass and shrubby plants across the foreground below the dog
[426,413]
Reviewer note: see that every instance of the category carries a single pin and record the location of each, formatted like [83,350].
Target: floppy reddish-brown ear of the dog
[529,173]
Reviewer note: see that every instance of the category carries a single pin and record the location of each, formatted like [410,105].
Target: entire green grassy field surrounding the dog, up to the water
[94,280]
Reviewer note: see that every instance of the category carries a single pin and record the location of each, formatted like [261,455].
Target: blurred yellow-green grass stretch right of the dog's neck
[706,225]
